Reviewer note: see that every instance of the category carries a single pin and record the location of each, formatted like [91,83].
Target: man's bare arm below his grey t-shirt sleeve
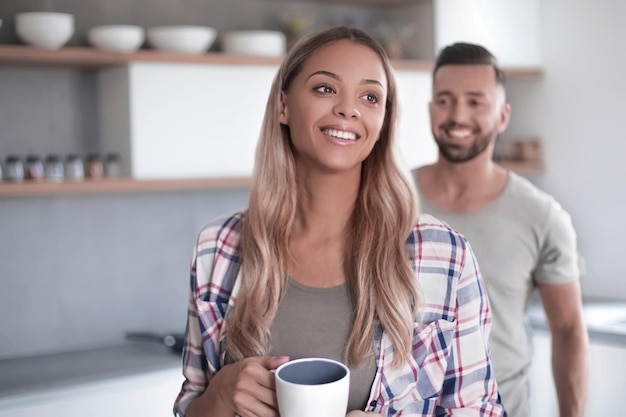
[570,345]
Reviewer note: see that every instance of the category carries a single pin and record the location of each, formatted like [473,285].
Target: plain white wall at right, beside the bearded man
[579,110]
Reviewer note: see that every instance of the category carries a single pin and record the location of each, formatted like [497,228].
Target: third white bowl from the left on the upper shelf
[185,38]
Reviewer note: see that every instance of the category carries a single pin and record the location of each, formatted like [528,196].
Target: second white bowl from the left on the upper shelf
[116,38]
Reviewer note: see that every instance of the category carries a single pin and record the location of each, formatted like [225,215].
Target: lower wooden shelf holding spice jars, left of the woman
[122,185]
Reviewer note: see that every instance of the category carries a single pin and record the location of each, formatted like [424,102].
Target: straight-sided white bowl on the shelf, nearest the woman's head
[255,42]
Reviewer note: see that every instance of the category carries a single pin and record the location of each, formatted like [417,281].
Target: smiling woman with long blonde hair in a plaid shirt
[330,259]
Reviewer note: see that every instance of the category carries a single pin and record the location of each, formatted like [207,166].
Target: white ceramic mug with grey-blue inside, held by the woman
[312,387]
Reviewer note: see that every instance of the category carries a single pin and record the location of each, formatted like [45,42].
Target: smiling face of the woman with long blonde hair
[334,120]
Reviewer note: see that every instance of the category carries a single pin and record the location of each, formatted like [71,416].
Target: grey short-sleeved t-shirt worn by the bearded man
[522,237]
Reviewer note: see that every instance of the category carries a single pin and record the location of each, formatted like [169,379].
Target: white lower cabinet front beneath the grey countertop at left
[150,394]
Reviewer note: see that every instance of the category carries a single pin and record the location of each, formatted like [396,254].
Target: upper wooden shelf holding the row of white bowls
[87,57]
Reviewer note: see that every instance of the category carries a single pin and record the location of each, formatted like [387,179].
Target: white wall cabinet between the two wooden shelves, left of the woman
[184,121]
